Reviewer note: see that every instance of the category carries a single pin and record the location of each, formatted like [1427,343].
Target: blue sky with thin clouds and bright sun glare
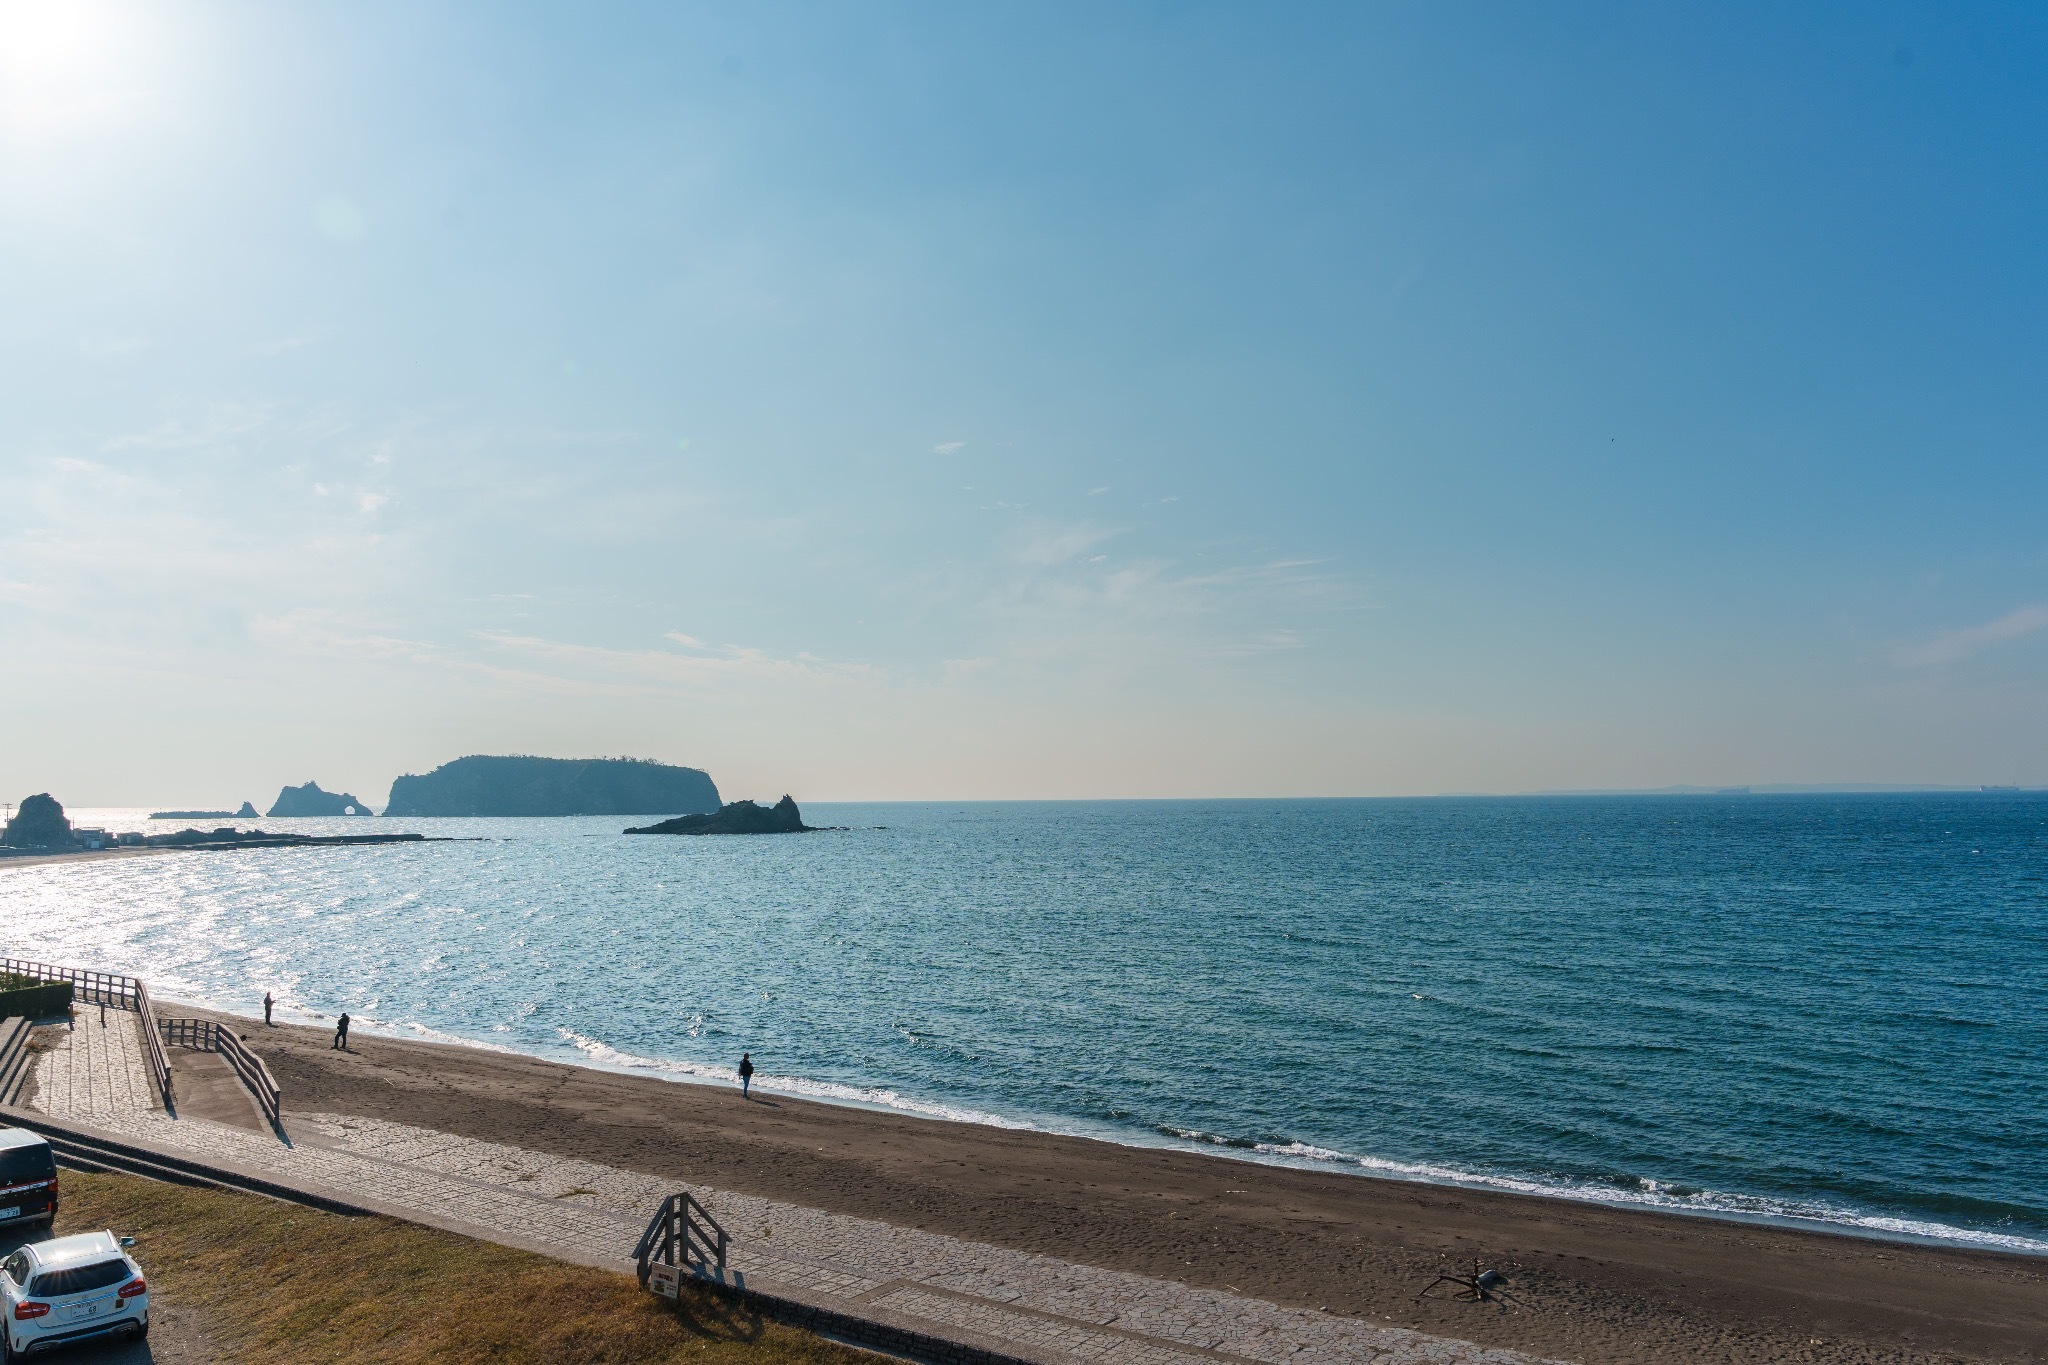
[943,402]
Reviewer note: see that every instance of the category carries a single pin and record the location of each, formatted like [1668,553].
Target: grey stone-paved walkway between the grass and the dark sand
[1009,1301]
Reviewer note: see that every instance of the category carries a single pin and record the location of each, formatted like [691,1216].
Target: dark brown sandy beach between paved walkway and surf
[1592,1284]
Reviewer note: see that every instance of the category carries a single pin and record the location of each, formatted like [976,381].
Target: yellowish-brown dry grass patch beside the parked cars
[278,1282]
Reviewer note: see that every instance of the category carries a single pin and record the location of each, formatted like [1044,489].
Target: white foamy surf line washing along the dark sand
[1345,1165]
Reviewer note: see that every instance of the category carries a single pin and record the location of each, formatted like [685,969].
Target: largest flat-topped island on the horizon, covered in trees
[515,785]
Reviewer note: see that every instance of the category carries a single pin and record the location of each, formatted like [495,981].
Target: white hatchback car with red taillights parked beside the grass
[73,1288]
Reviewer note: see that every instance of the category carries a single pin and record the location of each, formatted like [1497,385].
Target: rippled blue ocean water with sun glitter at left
[1805,1008]
